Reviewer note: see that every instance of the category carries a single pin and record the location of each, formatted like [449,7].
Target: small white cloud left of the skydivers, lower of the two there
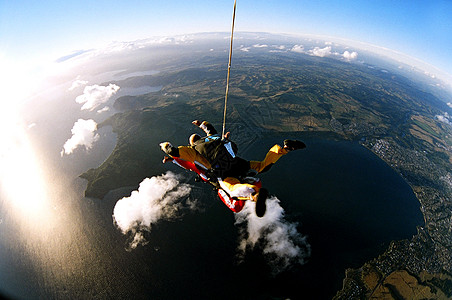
[83,134]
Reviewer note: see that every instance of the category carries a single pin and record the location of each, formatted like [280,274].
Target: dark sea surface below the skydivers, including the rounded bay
[346,201]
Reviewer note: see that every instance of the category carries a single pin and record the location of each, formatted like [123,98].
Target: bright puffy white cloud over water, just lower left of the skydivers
[156,199]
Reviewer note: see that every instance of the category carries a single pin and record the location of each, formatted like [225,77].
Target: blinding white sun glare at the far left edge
[21,176]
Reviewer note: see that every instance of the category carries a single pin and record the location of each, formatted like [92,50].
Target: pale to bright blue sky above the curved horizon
[32,31]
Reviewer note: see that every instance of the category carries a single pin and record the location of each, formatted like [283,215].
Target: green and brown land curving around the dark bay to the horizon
[384,111]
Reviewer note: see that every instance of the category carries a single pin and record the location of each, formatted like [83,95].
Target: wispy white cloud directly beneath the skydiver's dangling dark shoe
[281,242]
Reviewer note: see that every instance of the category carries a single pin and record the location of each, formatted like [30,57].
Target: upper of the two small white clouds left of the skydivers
[95,95]
